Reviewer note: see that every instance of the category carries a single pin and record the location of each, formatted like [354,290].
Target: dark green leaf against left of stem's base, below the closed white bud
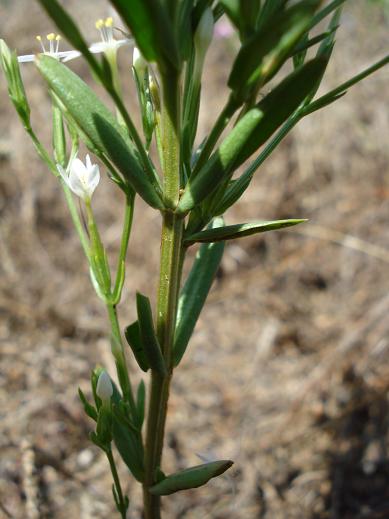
[129,445]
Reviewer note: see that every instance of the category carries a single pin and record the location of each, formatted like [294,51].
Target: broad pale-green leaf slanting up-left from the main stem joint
[99,125]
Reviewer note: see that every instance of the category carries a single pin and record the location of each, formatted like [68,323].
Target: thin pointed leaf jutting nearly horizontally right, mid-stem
[231,232]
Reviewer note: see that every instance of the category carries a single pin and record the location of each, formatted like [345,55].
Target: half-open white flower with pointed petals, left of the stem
[81,178]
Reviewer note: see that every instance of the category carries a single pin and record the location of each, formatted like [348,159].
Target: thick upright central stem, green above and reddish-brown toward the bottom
[169,283]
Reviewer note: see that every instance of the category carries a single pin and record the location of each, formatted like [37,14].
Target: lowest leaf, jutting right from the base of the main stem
[190,478]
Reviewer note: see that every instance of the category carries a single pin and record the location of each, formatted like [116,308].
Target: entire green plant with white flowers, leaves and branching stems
[191,186]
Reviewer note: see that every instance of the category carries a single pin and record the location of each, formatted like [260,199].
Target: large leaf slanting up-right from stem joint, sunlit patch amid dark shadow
[251,132]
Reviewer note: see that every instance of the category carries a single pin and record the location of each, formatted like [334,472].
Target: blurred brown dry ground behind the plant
[287,373]
